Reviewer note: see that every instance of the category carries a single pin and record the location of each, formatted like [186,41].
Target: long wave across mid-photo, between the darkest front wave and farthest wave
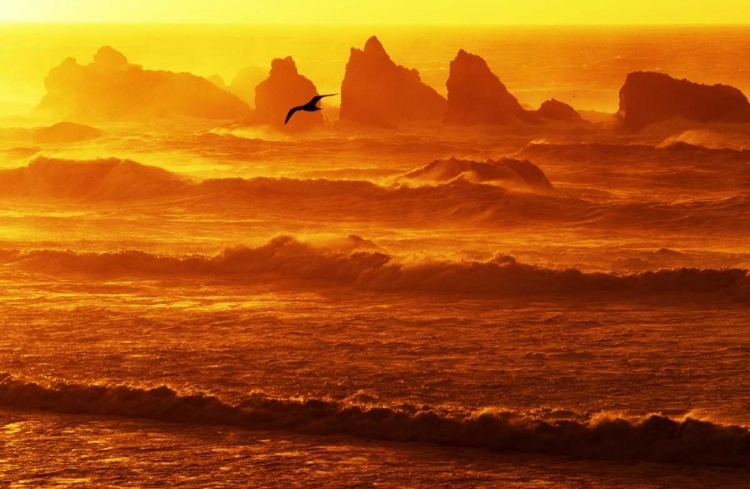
[286,259]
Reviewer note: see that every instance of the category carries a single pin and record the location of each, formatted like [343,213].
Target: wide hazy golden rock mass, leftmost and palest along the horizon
[111,89]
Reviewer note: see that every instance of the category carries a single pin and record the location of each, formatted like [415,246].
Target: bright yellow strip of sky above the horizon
[523,12]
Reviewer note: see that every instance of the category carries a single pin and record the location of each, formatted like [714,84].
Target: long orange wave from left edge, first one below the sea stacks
[114,181]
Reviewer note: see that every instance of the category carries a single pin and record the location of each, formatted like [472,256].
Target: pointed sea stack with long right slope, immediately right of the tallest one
[477,96]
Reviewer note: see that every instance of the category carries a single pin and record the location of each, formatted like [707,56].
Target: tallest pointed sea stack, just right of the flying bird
[377,91]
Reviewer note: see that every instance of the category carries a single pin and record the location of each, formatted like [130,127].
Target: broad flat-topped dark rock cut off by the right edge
[648,97]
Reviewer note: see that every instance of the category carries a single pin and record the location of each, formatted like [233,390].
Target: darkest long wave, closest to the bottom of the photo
[655,438]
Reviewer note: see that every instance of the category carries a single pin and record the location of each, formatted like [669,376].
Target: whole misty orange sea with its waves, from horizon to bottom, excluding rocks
[546,303]
